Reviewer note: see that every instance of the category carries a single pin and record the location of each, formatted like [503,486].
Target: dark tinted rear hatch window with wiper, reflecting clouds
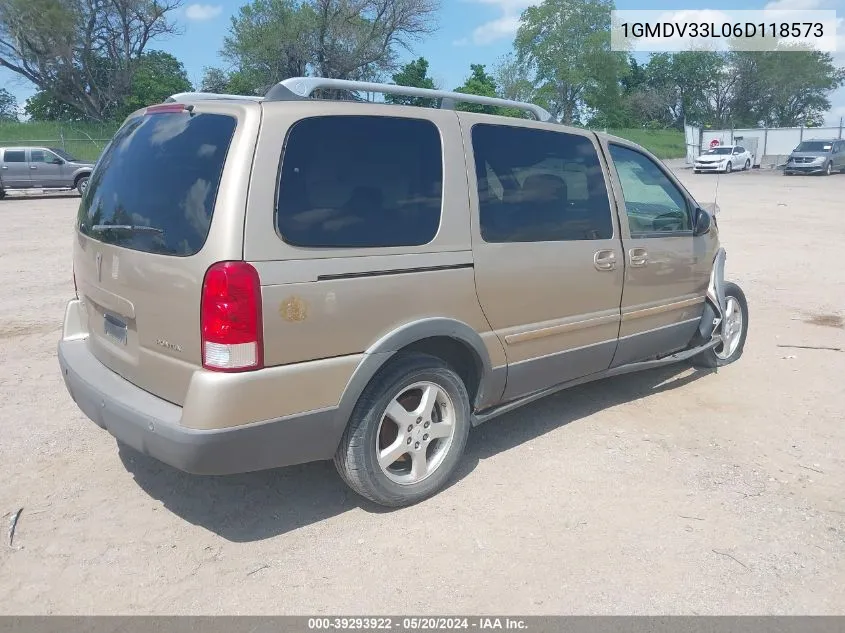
[155,185]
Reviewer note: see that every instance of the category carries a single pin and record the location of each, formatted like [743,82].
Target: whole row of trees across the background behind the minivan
[89,59]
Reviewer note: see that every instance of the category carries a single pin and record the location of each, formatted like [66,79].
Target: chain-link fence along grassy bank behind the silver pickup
[82,140]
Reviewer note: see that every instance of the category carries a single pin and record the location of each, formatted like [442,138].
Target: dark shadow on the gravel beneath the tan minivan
[256,506]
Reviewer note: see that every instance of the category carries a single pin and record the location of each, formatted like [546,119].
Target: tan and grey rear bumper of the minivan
[152,425]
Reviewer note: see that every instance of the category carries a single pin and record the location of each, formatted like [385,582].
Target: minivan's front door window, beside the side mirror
[653,203]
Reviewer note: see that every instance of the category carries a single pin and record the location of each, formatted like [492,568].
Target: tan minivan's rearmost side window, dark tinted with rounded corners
[360,182]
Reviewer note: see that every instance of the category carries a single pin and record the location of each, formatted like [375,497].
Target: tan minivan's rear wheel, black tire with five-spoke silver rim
[407,432]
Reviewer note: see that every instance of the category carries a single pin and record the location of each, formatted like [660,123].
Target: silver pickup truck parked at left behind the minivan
[41,168]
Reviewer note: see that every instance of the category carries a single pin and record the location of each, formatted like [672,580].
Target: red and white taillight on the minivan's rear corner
[230,318]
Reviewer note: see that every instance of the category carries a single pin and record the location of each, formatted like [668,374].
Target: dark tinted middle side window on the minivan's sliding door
[539,186]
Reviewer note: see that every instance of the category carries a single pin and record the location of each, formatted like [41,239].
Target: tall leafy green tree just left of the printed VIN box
[566,44]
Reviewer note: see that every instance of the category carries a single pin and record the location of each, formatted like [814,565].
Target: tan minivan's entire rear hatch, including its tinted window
[160,208]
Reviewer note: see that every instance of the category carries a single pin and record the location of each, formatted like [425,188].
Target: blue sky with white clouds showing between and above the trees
[471,31]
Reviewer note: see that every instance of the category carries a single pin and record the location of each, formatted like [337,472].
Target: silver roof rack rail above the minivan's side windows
[297,88]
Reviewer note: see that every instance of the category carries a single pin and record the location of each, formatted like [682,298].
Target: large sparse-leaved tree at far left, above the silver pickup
[82,52]
